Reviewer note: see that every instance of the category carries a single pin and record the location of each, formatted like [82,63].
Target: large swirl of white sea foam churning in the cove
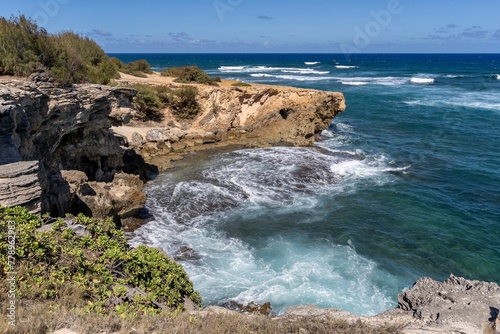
[285,269]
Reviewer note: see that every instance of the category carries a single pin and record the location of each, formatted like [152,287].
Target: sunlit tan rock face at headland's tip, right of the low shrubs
[268,114]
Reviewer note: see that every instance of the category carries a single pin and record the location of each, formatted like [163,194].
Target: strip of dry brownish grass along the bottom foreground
[43,317]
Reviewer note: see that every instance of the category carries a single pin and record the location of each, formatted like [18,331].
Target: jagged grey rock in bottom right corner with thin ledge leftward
[456,305]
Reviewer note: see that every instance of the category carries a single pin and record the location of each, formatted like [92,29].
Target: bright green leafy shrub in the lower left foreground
[100,266]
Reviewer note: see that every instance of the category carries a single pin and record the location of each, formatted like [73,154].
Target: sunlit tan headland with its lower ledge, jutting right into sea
[256,116]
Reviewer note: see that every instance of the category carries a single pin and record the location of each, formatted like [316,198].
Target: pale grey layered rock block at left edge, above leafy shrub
[19,185]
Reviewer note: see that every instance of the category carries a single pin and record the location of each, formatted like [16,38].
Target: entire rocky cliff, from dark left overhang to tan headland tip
[59,152]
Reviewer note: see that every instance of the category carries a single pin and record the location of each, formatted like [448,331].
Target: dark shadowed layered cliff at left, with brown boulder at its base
[46,130]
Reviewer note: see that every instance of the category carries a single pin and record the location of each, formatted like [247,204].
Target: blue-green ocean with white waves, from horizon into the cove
[405,183]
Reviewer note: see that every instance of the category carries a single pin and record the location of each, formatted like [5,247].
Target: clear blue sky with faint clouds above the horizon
[273,26]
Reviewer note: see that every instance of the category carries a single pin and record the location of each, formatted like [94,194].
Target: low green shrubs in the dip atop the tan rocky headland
[150,100]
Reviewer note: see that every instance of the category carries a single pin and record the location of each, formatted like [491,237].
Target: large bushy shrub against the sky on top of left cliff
[68,57]
